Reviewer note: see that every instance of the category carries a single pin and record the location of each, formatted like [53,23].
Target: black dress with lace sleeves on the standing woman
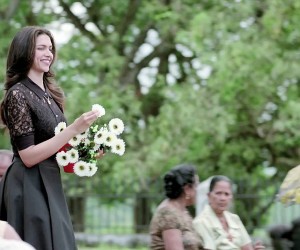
[32,199]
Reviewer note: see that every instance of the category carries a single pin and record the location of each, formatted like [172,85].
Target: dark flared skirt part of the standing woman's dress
[33,202]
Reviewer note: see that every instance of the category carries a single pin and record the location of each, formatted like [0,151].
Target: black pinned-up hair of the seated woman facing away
[177,178]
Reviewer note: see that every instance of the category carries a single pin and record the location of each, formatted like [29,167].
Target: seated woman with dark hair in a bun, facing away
[171,226]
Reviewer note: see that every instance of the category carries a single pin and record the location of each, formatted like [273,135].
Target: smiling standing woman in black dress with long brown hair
[31,192]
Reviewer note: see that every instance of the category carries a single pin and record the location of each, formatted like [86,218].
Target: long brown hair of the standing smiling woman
[20,59]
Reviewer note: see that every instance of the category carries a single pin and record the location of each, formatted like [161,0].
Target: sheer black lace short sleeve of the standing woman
[18,115]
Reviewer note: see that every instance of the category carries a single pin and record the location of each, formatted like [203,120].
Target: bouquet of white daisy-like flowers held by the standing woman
[79,155]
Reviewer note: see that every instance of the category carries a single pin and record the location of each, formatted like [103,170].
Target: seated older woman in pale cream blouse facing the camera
[218,228]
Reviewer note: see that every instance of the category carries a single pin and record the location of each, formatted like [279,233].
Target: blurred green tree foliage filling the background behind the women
[214,83]
